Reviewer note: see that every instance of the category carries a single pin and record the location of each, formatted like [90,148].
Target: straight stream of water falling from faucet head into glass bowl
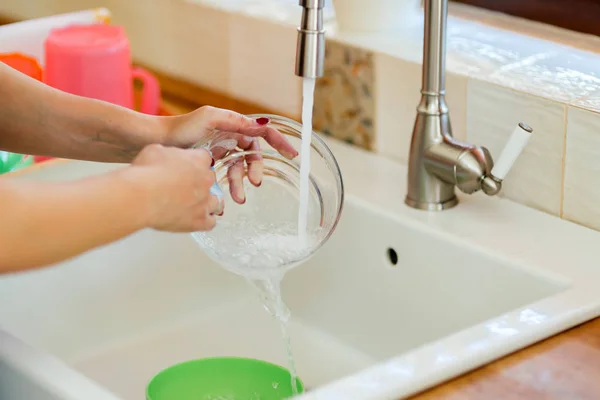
[308,91]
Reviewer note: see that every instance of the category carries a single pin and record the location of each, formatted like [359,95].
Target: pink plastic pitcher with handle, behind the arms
[95,61]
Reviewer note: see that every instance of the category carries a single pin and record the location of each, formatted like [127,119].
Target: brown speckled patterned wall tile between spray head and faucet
[344,103]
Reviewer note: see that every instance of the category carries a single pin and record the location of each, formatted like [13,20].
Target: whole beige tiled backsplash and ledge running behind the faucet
[496,78]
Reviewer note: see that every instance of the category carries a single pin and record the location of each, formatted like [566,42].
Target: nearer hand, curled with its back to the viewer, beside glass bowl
[177,183]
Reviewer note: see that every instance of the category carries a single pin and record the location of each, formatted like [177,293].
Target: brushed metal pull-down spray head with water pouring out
[310,49]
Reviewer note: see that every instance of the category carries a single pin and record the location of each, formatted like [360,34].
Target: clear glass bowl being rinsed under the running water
[259,238]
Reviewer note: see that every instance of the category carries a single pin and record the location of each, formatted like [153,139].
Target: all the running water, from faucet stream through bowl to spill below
[254,249]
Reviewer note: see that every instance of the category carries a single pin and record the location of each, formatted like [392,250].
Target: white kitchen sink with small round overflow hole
[397,301]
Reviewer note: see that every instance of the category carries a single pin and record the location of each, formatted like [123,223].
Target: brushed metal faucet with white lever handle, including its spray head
[438,163]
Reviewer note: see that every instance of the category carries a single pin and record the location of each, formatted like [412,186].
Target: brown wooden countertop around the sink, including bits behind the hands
[565,367]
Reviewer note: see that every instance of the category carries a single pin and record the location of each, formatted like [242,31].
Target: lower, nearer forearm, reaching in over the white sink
[44,223]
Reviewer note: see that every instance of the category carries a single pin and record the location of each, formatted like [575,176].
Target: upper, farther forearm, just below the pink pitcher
[37,119]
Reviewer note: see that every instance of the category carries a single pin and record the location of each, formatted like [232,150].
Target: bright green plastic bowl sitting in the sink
[222,378]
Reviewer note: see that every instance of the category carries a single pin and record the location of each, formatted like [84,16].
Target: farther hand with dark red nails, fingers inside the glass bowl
[239,132]
